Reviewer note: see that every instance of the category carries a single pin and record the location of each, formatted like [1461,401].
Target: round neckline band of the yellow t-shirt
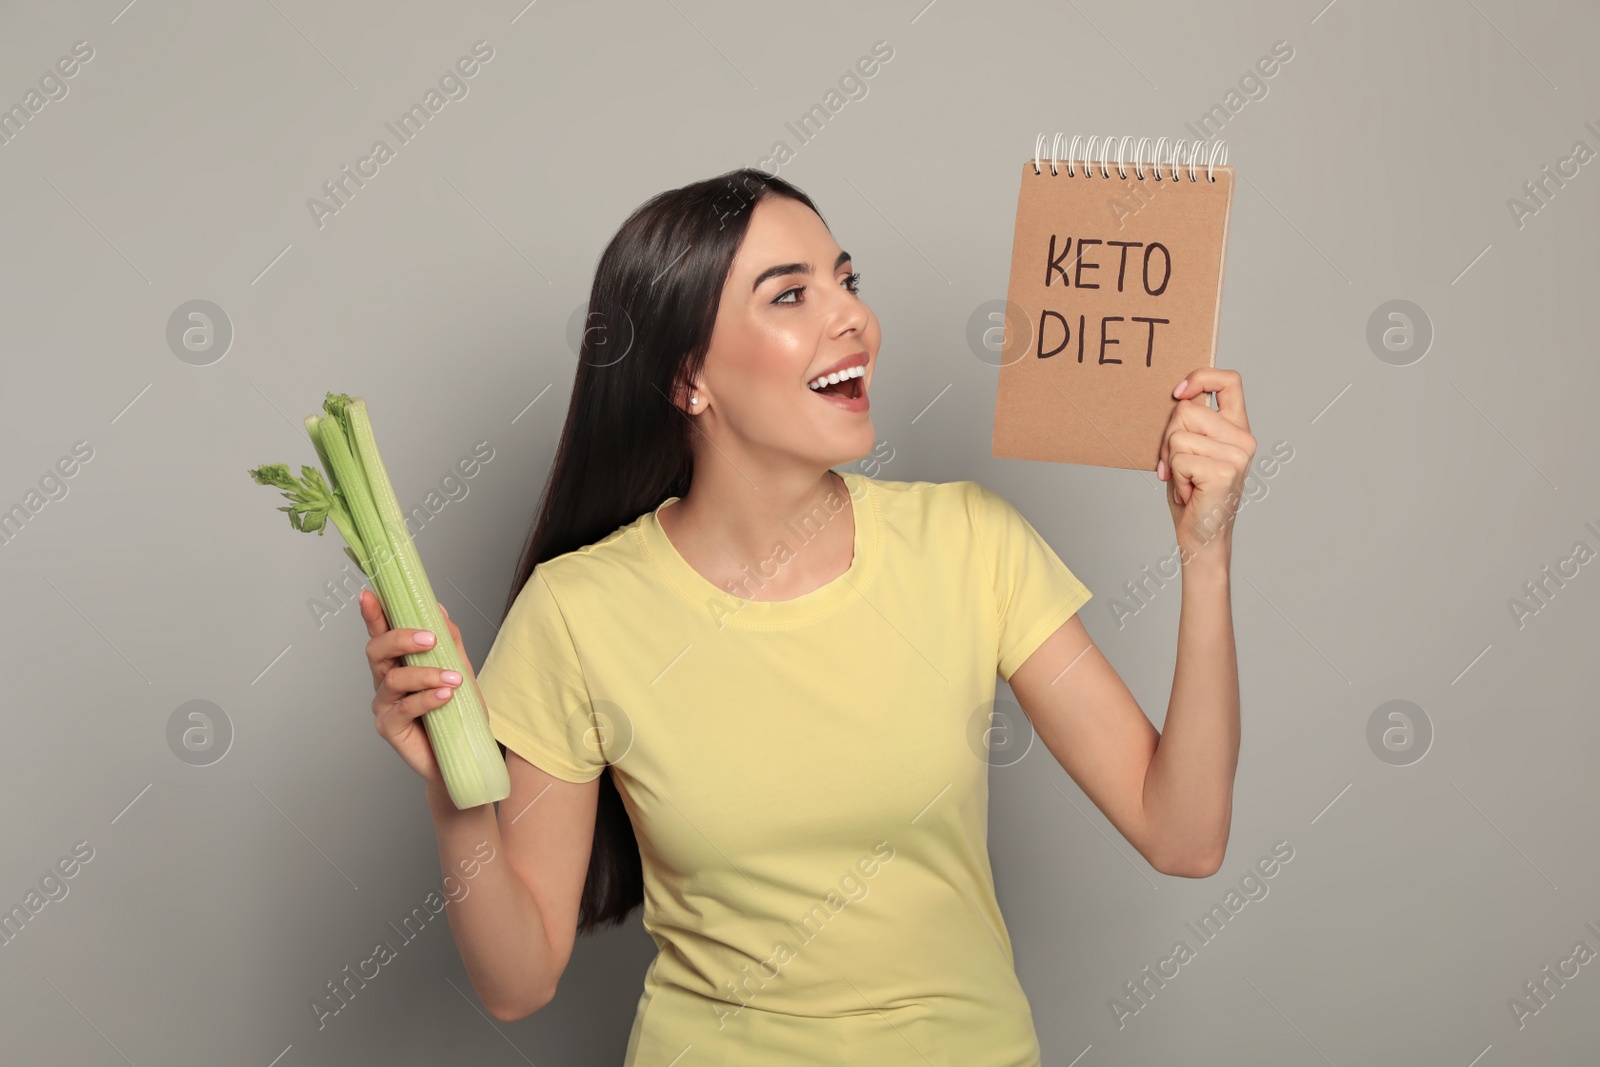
[730,610]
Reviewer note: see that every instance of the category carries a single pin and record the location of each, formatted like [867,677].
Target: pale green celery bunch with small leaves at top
[362,505]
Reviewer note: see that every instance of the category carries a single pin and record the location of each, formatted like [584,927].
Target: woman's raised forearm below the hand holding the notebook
[1190,786]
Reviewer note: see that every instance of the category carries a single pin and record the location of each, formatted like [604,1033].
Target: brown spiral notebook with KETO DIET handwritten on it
[1114,297]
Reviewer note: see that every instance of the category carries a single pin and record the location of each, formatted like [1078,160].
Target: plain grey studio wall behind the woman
[1377,565]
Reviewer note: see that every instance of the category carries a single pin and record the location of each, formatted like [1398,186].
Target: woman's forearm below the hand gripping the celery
[497,922]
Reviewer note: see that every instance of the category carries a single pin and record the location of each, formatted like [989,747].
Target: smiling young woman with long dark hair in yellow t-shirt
[753,695]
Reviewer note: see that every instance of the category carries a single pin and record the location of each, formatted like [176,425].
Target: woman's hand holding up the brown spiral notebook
[1206,457]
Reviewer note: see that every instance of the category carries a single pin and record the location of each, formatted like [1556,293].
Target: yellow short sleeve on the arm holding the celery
[535,692]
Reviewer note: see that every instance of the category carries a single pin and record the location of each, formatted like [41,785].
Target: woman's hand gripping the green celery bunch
[406,693]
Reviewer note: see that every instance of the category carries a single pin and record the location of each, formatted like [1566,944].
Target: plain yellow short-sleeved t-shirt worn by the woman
[807,778]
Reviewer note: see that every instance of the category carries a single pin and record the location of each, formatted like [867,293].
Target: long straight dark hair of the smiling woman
[626,444]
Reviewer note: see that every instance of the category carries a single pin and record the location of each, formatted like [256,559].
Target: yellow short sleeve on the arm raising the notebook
[1034,591]
